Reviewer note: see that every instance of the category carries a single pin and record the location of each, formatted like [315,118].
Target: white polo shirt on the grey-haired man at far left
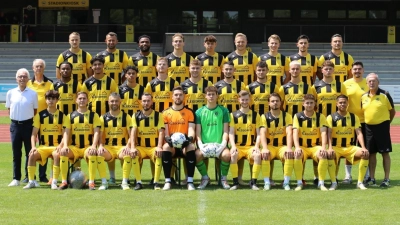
[21,103]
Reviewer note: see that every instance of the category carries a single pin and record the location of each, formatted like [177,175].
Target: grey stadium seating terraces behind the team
[383,59]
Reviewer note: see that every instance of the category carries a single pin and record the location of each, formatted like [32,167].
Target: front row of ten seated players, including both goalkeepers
[109,137]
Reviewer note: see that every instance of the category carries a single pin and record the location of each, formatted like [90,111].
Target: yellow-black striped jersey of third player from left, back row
[146,66]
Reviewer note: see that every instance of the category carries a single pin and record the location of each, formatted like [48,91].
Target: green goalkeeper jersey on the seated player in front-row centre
[212,123]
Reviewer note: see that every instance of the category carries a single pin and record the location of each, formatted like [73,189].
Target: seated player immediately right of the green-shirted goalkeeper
[244,138]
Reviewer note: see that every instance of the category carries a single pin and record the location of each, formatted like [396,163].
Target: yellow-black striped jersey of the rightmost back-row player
[343,63]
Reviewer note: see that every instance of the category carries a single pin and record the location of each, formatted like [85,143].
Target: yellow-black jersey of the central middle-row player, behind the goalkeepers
[194,93]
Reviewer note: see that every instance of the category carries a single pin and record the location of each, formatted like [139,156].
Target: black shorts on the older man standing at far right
[378,137]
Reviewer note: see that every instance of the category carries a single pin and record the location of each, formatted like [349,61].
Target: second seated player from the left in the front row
[80,139]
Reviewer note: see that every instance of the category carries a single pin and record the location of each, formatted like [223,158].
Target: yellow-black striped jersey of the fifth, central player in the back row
[211,66]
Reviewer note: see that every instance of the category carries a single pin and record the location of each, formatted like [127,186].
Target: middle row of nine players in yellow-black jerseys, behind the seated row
[99,86]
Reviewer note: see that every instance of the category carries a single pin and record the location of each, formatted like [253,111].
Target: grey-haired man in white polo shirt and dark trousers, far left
[22,104]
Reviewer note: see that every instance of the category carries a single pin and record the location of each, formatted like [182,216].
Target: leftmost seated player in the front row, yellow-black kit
[49,124]
